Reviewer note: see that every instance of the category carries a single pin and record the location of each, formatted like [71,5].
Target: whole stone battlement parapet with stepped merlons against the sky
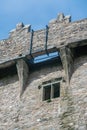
[59,32]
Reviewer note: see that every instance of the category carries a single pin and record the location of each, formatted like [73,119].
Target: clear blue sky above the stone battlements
[37,12]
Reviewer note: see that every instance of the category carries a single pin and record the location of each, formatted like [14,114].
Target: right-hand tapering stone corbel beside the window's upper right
[67,59]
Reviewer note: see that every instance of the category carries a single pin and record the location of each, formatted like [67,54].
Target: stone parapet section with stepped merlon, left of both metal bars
[16,45]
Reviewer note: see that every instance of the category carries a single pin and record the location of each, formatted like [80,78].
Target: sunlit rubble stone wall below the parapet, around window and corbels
[67,112]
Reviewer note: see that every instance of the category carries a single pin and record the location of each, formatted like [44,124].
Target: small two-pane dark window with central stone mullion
[51,90]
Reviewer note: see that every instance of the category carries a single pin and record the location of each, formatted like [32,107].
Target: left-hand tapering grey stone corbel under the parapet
[23,73]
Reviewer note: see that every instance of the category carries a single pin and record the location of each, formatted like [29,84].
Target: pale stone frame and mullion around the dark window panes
[51,83]
